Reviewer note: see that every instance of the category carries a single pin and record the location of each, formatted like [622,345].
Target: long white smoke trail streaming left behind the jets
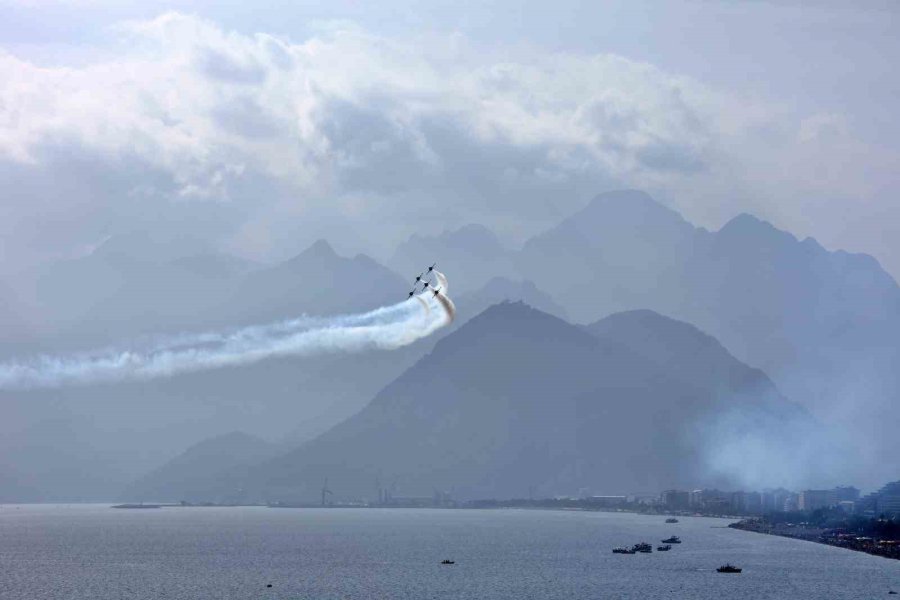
[384,328]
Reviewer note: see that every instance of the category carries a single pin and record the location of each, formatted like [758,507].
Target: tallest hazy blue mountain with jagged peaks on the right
[822,324]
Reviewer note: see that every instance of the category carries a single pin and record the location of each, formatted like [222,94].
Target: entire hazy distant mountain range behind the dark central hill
[823,325]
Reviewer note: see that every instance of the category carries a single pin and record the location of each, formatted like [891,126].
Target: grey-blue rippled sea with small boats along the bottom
[94,552]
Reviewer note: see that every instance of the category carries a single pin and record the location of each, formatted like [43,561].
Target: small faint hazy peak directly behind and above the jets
[473,255]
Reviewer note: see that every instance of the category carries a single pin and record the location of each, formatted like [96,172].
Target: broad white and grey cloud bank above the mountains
[373,136]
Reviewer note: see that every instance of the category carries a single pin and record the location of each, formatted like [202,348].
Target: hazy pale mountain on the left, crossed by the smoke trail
[133,426]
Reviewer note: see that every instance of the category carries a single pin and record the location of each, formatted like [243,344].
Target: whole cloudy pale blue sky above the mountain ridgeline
[262,127]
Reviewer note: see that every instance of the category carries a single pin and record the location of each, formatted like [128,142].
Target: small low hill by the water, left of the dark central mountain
[196,467]
